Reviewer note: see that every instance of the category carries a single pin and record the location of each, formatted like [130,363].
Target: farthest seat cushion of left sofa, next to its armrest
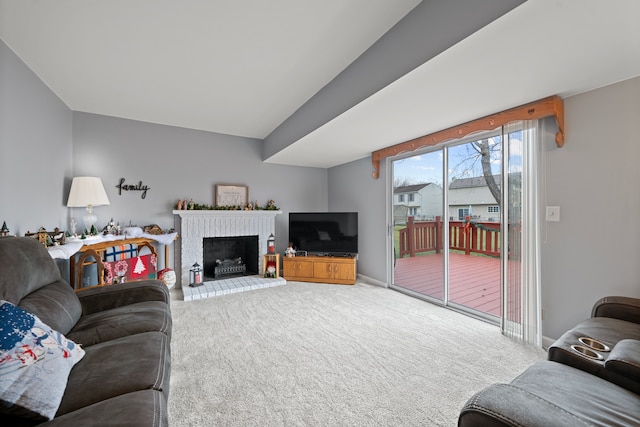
[122,321]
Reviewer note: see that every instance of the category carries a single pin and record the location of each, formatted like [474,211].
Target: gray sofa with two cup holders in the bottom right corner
[591,377]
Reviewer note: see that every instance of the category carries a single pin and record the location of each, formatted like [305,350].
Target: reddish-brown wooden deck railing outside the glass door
[467,236]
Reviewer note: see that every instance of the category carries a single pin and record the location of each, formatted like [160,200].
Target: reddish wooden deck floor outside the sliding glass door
[474,281]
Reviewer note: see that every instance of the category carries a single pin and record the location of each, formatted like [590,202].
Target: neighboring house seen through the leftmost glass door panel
[422,201]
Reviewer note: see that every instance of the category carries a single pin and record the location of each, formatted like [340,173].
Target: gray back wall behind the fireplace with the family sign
[178,163]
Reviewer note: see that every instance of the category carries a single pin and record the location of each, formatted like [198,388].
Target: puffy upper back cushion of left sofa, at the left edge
[26,266]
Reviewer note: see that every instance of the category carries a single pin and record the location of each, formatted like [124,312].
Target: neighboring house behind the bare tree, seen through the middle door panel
[471,197]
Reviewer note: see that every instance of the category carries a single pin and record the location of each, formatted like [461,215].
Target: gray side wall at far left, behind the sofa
[35,149]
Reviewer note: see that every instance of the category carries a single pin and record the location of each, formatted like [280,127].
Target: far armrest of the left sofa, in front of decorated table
[100,298]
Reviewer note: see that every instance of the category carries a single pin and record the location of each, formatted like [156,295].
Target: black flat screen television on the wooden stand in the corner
[324,233]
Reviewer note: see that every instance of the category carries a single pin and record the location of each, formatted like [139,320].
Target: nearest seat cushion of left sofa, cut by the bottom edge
[139,408]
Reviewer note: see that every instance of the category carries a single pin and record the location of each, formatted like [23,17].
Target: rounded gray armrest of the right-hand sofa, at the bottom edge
[508,405]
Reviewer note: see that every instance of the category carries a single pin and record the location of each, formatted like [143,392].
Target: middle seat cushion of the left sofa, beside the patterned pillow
[116,367]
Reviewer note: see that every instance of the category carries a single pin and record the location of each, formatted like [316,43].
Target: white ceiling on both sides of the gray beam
[243,67]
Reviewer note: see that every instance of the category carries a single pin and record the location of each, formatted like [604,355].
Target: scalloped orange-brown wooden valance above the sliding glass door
[551,106]
